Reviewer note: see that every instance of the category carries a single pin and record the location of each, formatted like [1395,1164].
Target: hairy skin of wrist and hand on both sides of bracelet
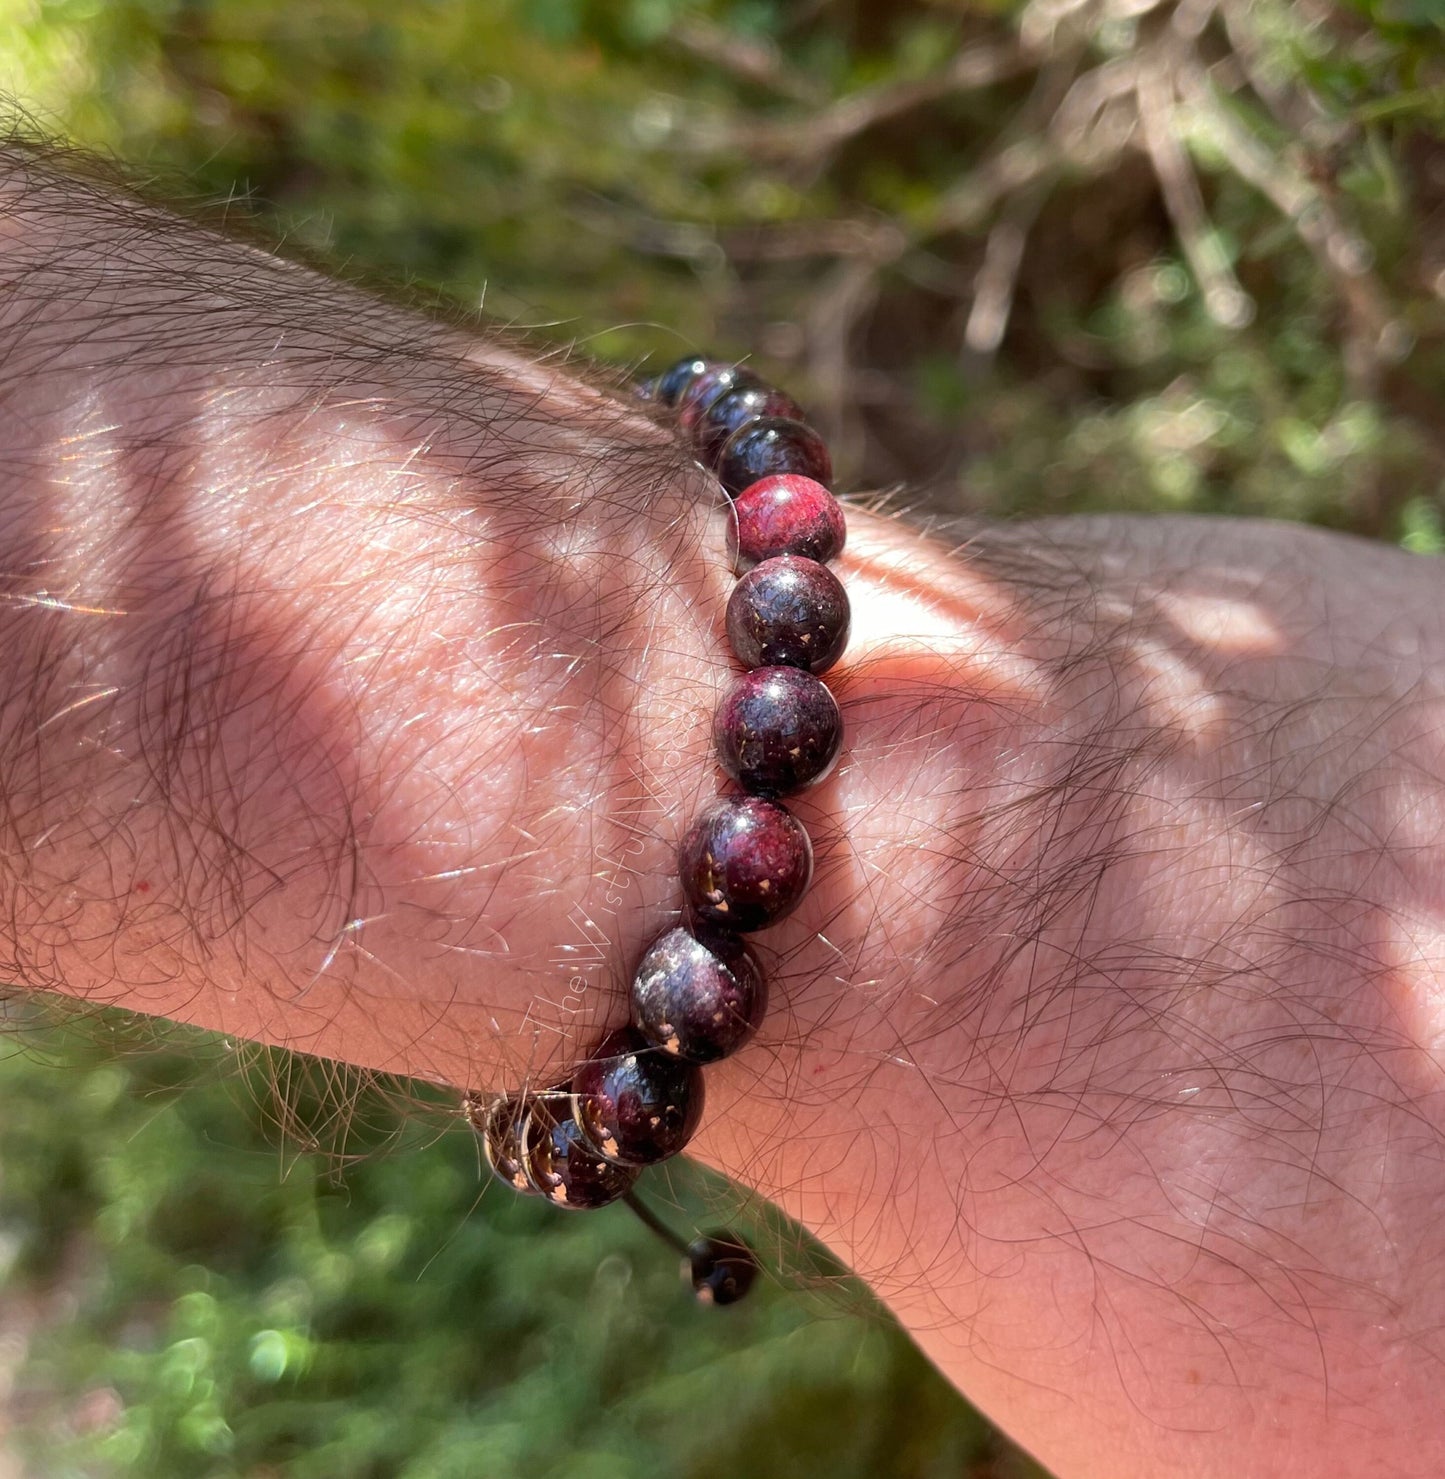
[357,677]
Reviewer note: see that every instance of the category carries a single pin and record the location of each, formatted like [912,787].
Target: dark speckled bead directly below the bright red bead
[789,612]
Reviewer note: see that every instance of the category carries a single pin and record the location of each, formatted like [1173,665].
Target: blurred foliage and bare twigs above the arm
[728,169]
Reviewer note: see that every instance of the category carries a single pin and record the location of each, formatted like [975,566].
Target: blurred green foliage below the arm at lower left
[212,1307]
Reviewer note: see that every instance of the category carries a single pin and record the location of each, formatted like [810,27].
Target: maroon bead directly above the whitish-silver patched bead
[746,863]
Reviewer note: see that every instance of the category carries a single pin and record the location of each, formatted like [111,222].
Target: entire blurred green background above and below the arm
[1018,260]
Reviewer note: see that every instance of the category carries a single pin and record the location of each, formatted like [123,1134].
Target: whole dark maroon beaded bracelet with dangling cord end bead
[699,993]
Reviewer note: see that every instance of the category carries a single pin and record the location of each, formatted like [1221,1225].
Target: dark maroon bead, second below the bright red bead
[779,730]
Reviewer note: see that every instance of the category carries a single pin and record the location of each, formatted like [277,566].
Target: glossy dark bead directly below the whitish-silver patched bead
[635,1103]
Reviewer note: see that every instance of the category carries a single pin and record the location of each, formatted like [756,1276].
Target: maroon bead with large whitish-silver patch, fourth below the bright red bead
[699,998]
